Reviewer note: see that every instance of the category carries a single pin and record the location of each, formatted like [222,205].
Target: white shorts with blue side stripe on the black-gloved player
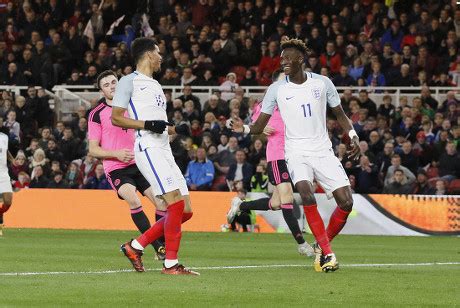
[161,171]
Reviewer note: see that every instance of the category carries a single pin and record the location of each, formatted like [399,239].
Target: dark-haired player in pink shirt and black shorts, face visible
[115,146]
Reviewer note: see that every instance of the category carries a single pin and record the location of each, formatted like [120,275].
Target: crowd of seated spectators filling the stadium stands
[408,146]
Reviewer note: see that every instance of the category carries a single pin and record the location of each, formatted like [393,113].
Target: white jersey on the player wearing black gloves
[144,99]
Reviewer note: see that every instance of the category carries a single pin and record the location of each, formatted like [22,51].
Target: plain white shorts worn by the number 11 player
[326,170]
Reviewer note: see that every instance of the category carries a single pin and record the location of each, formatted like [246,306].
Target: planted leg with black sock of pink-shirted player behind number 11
[287,208]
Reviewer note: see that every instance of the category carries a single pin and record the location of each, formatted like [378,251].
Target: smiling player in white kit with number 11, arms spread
[302,99]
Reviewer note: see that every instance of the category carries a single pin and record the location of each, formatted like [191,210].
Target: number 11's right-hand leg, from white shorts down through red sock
[334,180]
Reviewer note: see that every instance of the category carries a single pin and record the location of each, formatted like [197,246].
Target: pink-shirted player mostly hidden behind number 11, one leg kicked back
[279,177]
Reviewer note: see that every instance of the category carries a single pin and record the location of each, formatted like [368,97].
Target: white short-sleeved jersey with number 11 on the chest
[303,109]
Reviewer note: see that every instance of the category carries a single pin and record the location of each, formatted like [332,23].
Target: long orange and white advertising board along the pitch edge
[102,210]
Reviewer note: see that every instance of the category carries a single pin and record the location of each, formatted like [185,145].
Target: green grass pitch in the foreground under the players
[59,250]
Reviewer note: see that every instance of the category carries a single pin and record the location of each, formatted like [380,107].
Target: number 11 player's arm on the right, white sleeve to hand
[333,100]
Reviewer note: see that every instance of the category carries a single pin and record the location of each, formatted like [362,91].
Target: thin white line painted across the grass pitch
[228,267]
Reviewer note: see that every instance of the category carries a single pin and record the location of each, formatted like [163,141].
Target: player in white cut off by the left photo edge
[5,181]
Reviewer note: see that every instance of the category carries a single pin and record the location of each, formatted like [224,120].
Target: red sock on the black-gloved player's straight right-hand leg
[173,233]
